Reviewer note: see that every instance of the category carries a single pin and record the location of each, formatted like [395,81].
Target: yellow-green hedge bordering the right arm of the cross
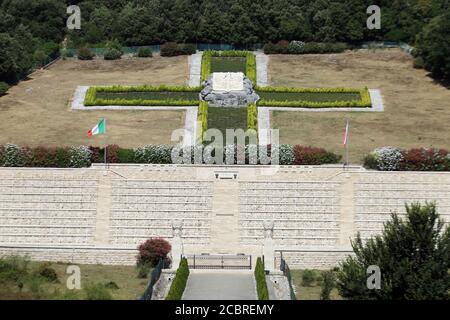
[364,102]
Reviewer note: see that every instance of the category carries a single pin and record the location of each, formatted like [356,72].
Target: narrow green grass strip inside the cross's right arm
[310,96]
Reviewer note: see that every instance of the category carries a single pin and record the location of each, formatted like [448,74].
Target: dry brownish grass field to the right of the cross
[416,113]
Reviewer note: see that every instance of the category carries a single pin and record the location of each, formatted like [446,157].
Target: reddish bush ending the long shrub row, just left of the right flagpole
[314,156]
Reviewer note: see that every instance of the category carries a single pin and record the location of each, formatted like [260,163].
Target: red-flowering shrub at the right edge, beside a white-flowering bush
[425,160]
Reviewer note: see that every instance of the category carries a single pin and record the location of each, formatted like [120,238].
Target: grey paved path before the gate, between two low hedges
[220,285]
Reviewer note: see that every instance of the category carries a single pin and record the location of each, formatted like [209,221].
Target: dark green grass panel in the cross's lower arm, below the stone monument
[227,118]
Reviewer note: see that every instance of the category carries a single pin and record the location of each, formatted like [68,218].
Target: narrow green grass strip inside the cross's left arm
[157,95]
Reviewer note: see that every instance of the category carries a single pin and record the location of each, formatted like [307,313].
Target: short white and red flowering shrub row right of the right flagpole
[418,159]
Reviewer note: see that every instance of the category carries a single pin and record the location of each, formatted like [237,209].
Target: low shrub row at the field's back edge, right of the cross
[299,47]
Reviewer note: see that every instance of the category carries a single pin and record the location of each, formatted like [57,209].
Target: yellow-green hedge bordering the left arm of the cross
[92,100]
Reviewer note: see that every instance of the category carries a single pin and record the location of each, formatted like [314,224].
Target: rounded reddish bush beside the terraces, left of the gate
[152,250]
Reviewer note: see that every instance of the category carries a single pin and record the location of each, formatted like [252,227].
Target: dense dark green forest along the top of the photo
[31,31]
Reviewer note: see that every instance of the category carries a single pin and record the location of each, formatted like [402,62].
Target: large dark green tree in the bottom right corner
[413,256]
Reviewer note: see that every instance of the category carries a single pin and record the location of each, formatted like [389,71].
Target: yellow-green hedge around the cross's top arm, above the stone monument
[250,62]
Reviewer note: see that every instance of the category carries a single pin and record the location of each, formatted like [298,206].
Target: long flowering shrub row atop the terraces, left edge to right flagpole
[81,156]
